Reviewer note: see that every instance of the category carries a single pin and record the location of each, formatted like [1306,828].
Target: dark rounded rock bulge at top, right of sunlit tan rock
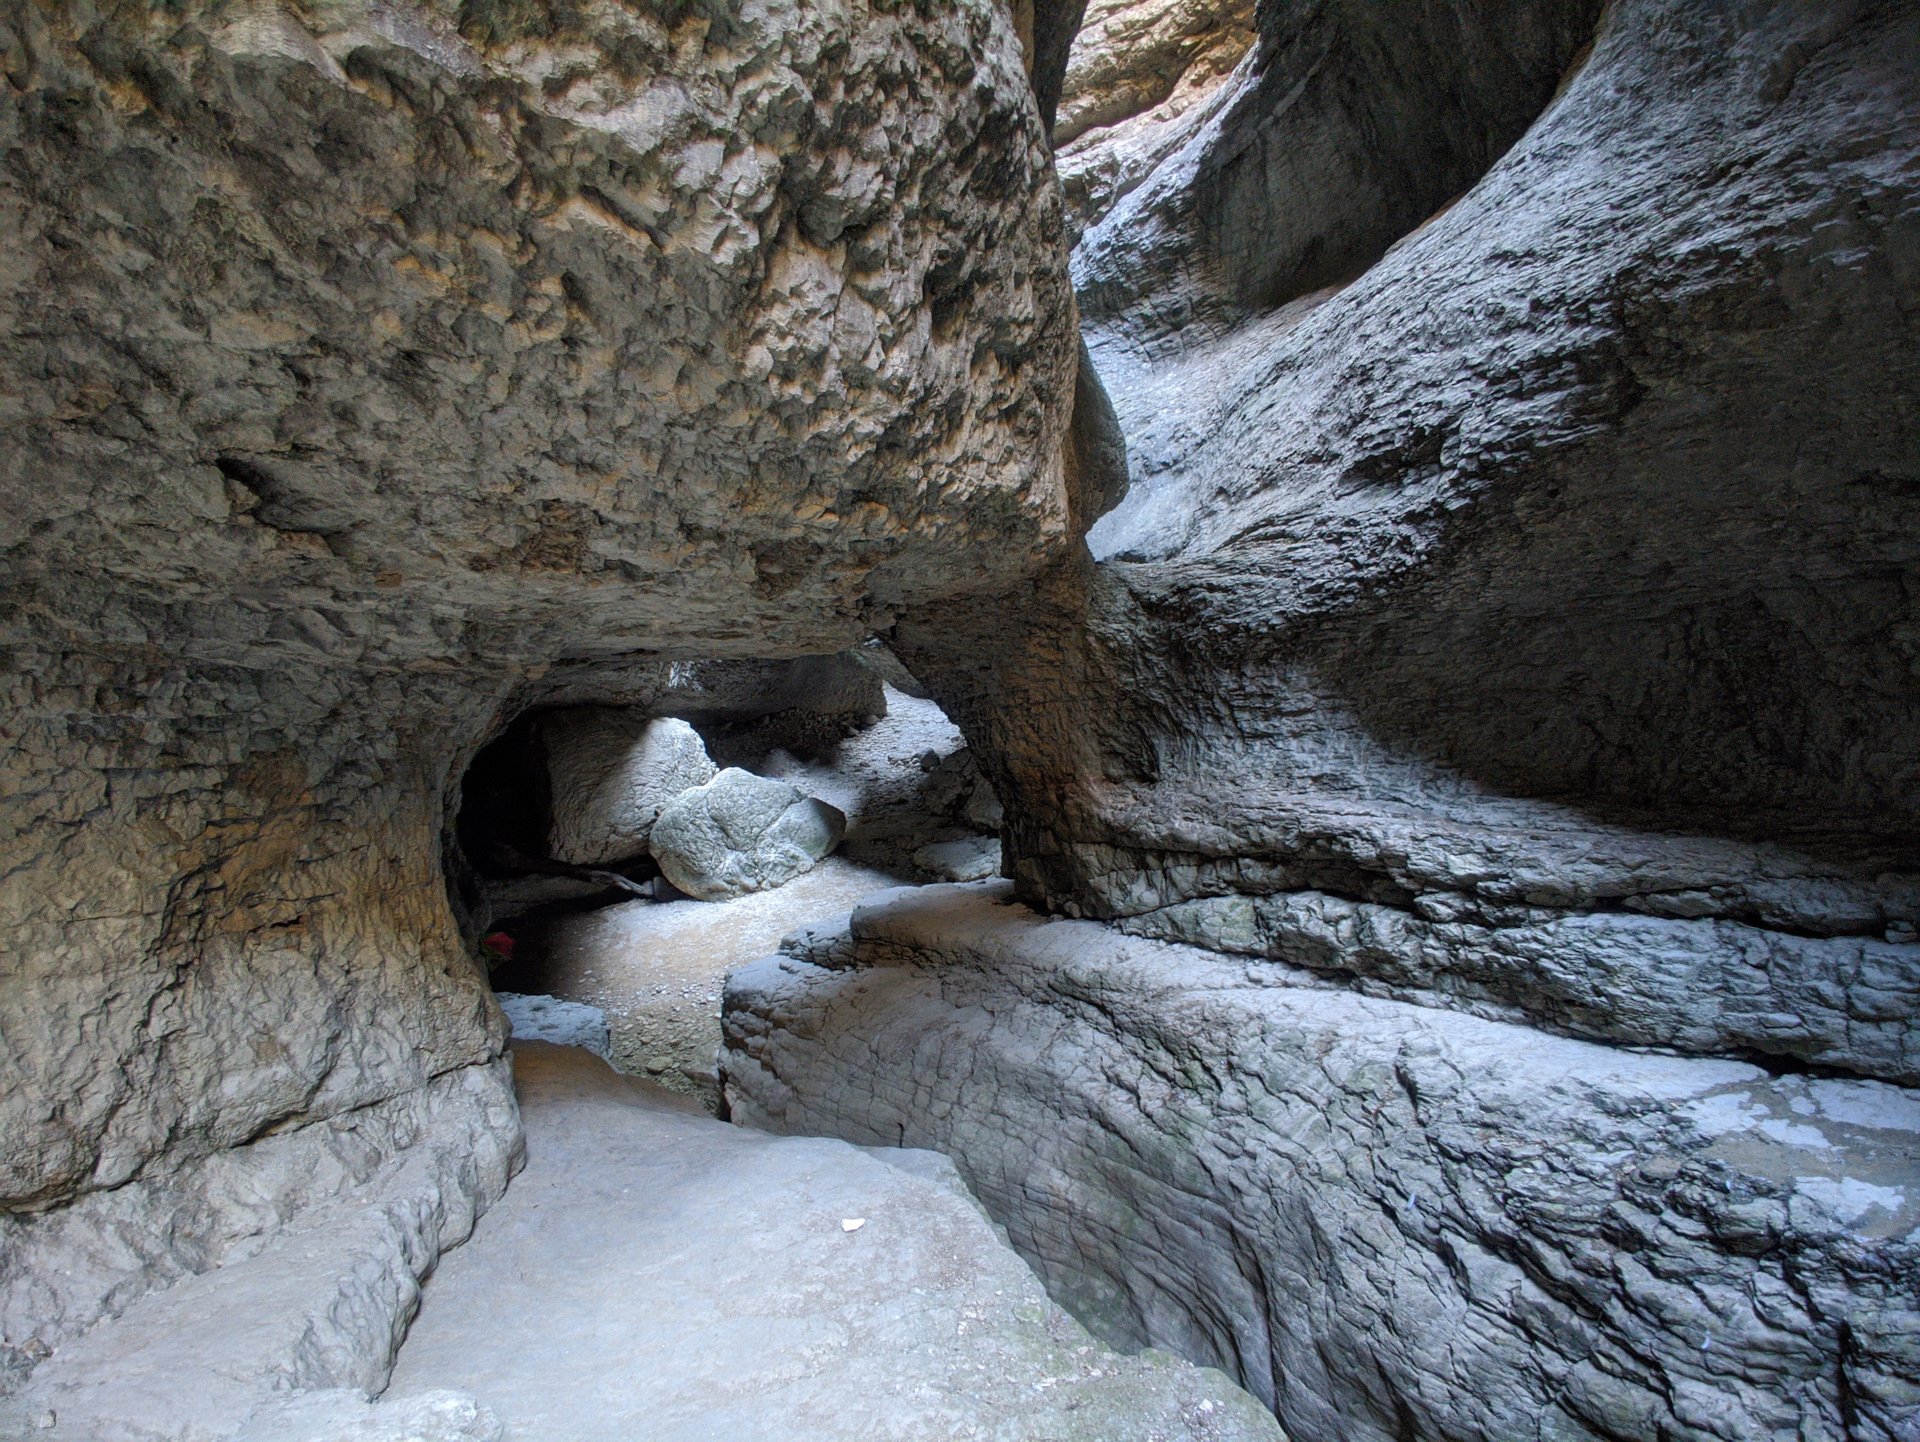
[1349,128]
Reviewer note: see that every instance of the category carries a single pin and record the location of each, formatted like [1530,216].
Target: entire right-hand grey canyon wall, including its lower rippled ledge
[1487,729]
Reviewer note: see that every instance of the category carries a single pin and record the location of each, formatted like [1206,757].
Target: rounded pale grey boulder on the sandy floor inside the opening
[740,834]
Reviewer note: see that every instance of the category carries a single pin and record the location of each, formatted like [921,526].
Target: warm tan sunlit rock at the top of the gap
[1138,76]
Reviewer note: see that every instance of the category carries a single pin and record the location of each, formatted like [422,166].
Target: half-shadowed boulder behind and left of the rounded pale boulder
[610,775]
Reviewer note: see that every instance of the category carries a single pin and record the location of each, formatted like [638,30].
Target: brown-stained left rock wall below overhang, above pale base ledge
[226,913]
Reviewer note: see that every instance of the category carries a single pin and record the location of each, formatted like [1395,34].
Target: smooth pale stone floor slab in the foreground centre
[661,1276]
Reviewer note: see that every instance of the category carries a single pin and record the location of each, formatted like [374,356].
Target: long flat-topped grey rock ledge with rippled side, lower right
[1387,1220]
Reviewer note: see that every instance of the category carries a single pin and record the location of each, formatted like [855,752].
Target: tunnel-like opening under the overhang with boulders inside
[590,940]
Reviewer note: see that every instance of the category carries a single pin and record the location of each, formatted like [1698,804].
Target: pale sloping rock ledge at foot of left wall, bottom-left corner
[285,1266]
